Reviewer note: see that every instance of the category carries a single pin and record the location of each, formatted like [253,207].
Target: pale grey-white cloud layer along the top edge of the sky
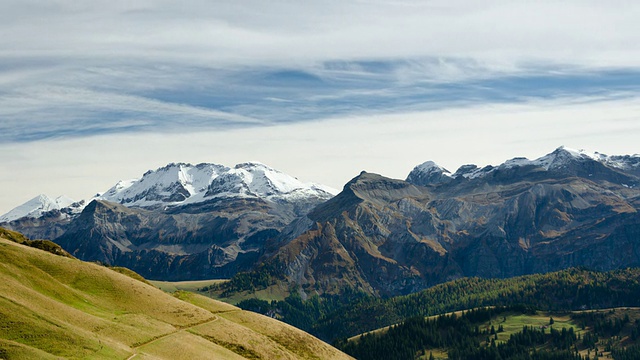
[254,32]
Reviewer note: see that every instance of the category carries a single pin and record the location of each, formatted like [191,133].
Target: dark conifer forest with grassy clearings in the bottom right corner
[469,337]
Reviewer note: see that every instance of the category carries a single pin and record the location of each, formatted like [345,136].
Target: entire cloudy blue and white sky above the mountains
[95,92]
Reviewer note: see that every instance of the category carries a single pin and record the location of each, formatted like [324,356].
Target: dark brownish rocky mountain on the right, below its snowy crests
[390,237]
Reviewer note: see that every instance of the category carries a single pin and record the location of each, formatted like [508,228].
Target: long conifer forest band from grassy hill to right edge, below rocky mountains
[332,317]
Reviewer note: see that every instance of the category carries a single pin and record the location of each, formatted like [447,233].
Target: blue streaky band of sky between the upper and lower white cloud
[66,101]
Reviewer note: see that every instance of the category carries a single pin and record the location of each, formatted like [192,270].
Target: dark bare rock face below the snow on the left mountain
[207,240]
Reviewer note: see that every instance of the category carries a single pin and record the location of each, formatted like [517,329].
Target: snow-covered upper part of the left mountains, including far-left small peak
[171,188]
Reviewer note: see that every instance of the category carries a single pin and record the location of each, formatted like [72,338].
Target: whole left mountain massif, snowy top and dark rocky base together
[182,221]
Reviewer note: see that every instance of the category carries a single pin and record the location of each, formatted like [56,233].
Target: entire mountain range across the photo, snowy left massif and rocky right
[380,235]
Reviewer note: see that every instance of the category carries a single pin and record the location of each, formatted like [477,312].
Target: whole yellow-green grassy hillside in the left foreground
[58,307]
